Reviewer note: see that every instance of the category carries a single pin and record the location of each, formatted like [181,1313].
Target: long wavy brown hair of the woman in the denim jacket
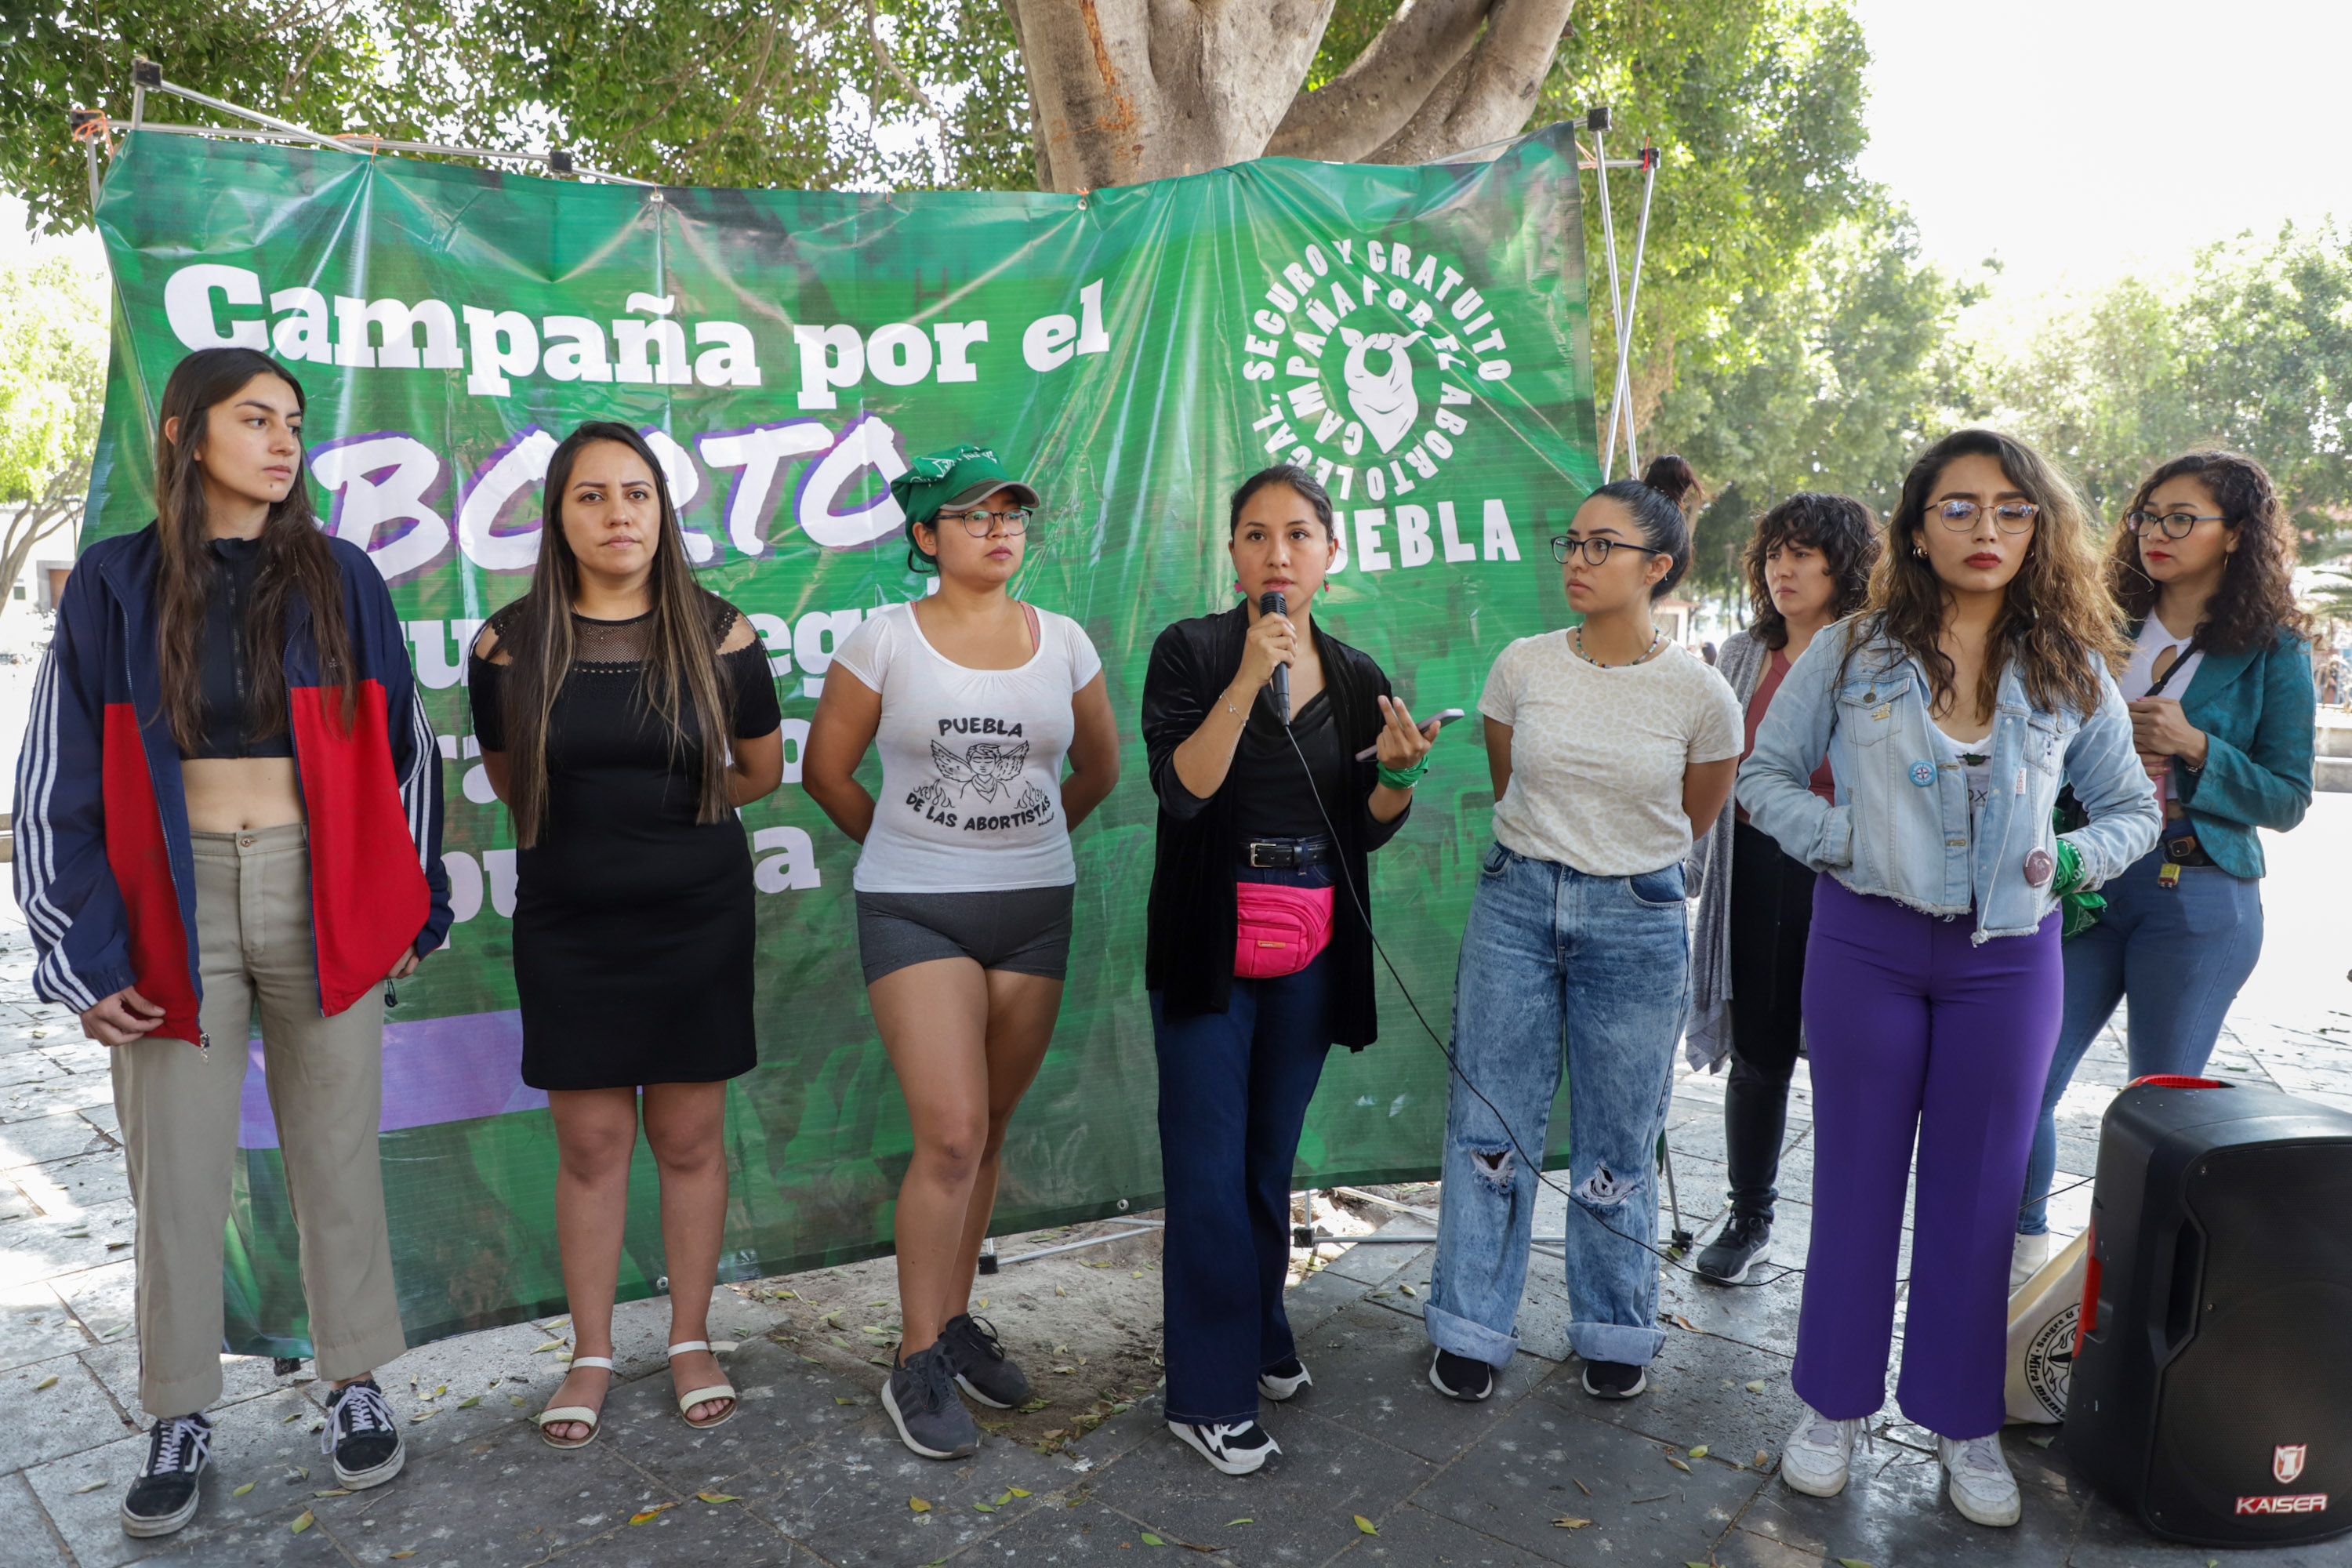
[2057,619]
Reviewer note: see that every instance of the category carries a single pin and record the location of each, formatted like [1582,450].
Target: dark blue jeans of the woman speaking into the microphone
[1234,1094]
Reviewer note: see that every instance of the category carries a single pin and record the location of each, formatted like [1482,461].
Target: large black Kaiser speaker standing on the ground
[2212,1386]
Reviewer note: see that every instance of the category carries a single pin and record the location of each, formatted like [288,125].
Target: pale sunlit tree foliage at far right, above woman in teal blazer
[2250,349]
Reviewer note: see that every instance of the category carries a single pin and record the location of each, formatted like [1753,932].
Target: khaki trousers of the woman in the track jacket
[180,1132]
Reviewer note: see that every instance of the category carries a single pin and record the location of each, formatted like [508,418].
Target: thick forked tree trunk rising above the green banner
[1132,91]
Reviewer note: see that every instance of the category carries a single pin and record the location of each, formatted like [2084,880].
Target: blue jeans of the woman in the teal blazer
[2179,956]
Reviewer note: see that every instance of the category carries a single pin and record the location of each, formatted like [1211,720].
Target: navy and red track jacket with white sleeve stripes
[102,859]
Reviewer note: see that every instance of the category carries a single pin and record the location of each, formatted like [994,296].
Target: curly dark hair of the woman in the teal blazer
[2257,598]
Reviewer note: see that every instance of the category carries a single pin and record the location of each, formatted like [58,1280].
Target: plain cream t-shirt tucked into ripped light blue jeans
[1598,756]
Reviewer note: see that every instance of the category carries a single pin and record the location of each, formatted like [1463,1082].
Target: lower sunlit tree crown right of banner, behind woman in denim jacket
[1826,382]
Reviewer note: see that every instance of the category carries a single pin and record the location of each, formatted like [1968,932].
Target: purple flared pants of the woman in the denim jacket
[1916,1031]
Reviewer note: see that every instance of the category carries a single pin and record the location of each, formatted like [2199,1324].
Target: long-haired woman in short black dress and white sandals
[624,716]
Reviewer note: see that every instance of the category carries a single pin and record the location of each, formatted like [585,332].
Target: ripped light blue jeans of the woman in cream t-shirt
[1603,965]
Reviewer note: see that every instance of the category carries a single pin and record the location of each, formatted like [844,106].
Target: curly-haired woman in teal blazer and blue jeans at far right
[2219,683]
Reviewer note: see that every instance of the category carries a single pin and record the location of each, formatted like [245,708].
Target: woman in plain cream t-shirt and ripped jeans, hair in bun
[1610,751]
